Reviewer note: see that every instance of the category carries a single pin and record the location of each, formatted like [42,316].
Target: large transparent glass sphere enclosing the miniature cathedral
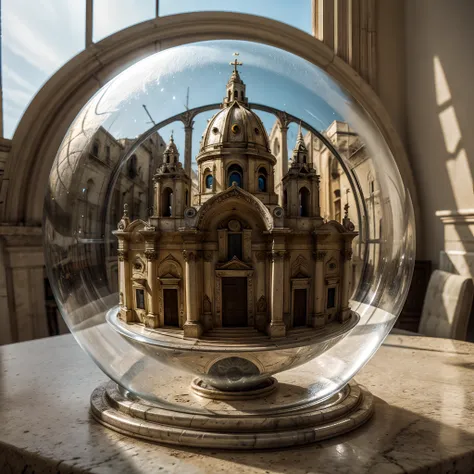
[160,114]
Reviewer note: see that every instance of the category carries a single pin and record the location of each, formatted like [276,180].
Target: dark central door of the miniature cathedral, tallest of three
[234,302]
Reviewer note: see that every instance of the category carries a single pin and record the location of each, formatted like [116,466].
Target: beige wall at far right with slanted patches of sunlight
[440,95]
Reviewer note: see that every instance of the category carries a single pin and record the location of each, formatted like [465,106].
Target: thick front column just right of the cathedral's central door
[277,326]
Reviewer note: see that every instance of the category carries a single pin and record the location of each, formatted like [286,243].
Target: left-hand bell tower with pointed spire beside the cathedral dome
[172,186]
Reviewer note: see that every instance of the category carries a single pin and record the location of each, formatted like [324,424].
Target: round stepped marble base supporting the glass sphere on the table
[229,428]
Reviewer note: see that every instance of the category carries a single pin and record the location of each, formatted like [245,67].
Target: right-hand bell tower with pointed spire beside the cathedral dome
[301,184]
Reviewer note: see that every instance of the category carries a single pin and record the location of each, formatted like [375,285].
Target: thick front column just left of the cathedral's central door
[192,326]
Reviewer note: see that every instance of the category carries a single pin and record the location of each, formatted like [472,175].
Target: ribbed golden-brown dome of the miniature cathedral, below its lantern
[235,126]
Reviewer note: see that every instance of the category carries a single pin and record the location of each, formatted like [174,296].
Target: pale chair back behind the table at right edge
[446,307]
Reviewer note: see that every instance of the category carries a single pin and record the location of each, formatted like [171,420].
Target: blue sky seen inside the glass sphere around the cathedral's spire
[273,77]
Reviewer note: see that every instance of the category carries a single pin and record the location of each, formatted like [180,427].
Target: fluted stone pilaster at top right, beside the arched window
[349,28]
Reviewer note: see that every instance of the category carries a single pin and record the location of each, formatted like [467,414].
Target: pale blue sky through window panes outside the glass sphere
[40,36]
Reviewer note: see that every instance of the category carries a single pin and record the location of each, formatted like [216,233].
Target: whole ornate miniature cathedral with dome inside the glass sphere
[233,255]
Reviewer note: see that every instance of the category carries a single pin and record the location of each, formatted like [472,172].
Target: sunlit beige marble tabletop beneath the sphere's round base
[423,422]
